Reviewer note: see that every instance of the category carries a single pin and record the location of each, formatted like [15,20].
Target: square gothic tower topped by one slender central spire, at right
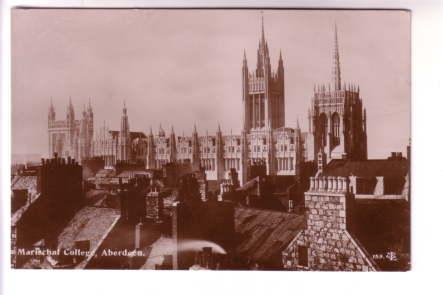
[337,121]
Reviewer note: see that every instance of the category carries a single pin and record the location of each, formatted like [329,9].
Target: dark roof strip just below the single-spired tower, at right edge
[368,168]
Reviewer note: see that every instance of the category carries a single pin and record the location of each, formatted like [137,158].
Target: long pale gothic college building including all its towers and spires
[337,129]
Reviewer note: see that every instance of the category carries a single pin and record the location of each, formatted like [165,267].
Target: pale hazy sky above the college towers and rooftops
[180,67]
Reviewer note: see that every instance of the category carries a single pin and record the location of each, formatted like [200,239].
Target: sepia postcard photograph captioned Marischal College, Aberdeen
[211,139]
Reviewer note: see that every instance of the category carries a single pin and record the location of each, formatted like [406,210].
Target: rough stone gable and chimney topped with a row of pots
[326,240]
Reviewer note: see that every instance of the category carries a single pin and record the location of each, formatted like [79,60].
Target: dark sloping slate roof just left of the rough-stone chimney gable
[264,234]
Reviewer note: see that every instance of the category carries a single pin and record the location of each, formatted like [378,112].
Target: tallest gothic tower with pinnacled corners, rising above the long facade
[263,91]
